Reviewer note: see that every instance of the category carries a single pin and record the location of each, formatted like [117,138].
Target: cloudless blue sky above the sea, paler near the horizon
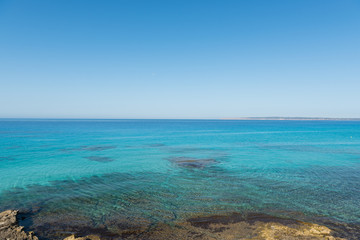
[179,58]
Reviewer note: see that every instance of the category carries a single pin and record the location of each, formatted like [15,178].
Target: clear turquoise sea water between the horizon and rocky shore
[166,170]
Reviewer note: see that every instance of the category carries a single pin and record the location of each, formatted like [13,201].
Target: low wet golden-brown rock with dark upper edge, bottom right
[259,226]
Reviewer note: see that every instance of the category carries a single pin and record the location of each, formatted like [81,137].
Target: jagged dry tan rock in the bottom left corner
[9,228]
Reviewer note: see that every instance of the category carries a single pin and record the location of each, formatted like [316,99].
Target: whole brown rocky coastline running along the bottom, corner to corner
[252,226]
